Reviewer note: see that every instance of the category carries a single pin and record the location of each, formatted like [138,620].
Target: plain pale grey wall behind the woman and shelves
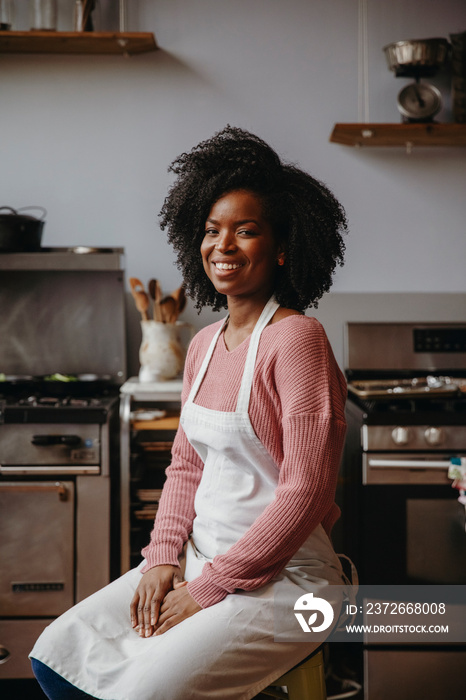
[90,137]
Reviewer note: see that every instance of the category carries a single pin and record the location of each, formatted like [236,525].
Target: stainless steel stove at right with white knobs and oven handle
[402,522]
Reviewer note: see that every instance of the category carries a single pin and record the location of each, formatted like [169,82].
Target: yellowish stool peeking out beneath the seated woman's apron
[306,681]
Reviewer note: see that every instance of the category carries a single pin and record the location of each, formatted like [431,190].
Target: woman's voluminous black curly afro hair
[305,217]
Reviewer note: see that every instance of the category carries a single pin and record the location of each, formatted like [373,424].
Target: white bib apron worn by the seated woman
[226,651]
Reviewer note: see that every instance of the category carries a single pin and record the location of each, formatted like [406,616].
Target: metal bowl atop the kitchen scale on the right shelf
[416,56]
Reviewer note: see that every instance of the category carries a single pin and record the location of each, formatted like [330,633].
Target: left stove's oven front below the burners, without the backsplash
[55,516]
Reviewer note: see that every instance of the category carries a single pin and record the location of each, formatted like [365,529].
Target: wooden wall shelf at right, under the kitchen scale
[405,135]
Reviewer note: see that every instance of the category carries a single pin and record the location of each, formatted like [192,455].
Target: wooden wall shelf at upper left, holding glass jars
[123,43]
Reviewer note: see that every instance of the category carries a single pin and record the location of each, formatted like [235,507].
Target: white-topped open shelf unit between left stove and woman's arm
[145,451]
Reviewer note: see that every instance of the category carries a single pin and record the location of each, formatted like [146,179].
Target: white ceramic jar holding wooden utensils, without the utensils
[162,352]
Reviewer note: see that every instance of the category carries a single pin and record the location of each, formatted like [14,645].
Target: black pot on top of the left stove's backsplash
[20,233]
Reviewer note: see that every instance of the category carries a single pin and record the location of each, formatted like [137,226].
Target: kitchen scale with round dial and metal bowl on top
[417,102]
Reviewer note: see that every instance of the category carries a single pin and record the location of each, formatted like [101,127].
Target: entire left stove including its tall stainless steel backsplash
[61,367]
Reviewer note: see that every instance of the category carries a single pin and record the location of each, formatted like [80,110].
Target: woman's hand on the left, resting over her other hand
[149,596]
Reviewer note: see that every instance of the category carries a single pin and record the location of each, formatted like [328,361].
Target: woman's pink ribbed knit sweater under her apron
[297,412]
